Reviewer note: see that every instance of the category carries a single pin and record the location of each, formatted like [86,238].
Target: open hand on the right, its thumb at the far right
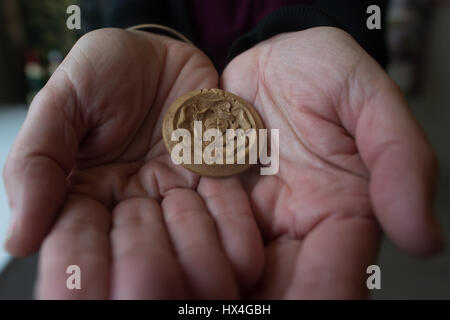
[351,155]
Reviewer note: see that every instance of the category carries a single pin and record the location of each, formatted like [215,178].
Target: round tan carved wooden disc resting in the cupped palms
[215,109]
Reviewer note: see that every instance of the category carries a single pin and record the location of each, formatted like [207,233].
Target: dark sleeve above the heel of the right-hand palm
[349,15]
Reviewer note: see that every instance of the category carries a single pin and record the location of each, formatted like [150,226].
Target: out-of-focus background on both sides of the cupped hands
[34,39]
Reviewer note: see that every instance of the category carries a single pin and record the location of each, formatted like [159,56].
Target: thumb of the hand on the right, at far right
[403,171]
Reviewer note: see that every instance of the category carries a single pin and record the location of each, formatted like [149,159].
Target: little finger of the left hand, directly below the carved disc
[228,204]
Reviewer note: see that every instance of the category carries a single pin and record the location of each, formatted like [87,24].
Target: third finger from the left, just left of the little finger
[195,240]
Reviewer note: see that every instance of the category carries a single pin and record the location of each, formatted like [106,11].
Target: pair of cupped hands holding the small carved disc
[91,184]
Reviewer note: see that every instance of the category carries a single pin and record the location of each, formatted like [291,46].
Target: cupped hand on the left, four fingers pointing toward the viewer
[89,164]
